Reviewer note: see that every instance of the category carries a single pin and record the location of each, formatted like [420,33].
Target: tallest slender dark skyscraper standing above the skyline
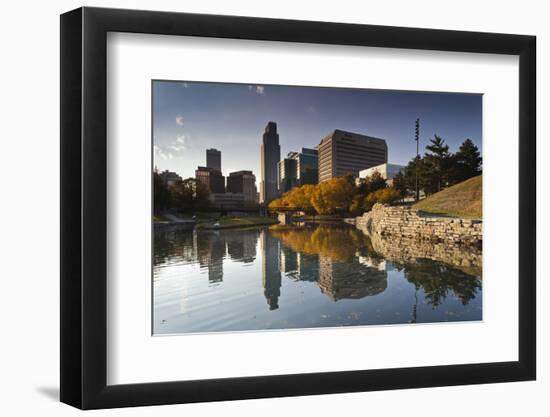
[270,156]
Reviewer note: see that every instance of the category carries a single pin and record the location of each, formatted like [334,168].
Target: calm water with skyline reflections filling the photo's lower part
[304,276]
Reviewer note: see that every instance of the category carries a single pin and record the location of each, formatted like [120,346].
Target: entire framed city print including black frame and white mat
[257,208]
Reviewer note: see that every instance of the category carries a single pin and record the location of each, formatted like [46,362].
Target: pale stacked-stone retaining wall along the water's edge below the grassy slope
[406,222]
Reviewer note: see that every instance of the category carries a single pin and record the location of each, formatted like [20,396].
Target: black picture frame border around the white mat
[84,207]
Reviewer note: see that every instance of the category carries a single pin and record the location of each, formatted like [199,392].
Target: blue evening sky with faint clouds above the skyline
[190,117]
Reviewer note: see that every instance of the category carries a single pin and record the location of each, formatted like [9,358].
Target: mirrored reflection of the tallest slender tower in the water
[271,275]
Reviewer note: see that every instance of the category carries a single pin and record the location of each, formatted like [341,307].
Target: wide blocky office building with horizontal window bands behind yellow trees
[342,153]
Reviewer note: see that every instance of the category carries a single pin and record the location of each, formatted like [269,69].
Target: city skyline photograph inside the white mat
[294,207]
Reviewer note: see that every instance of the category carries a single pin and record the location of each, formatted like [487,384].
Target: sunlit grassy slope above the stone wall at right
[460,200]
